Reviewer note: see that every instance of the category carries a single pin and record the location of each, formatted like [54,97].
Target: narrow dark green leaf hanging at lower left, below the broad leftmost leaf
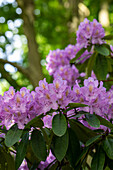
[21,150]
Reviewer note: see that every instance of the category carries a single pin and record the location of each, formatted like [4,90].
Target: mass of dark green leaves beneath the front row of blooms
[69,140]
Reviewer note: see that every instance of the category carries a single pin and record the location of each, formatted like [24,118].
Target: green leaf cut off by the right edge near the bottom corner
[108,147]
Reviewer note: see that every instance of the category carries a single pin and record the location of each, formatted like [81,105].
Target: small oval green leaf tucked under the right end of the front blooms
[93,120]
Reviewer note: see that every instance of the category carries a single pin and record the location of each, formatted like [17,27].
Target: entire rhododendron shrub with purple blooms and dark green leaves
[61,124]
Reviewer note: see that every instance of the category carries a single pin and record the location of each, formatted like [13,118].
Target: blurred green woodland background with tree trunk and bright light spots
[29,29]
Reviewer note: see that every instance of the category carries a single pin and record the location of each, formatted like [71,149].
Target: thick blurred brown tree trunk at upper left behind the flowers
[34,69]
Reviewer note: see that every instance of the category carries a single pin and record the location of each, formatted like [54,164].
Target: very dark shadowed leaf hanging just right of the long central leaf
[74,147]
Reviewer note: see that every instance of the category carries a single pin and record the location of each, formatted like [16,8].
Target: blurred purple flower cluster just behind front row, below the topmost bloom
[58,63]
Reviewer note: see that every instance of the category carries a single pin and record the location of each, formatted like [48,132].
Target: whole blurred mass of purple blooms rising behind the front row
[58,61]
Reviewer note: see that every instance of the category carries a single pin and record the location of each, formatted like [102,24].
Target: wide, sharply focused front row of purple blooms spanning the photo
[22,106]
